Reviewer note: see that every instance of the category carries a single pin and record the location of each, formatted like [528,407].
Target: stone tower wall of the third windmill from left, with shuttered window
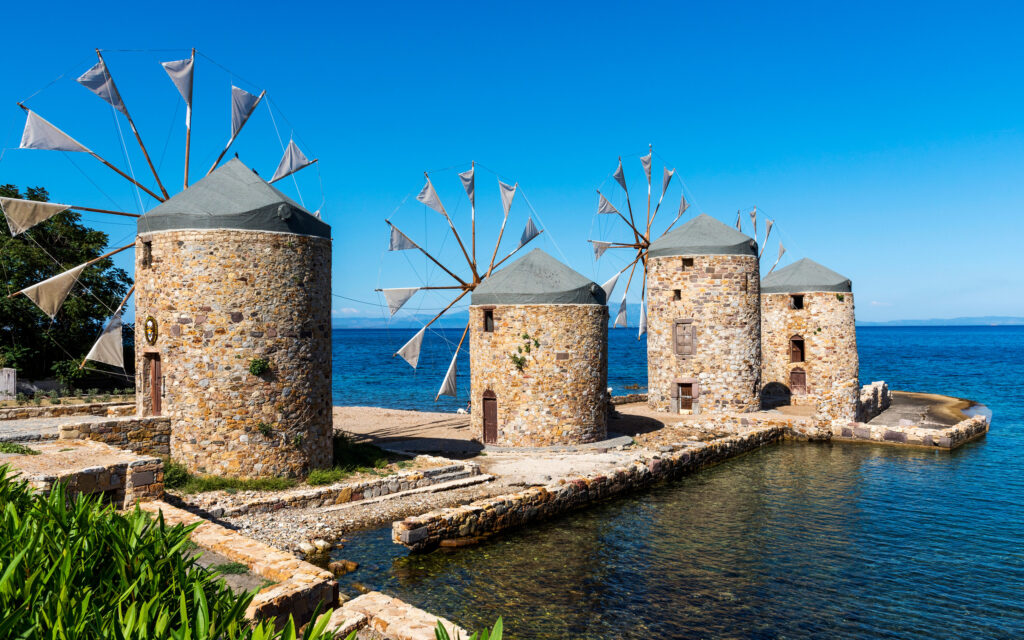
[721,295]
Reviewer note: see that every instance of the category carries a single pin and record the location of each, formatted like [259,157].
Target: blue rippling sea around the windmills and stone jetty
[793,541]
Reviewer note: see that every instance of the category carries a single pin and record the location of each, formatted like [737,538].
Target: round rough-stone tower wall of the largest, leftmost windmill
[223,298]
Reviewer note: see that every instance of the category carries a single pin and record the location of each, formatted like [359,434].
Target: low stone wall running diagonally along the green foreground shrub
[302,587]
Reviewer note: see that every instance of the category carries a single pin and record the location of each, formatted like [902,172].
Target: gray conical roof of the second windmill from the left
[538,279]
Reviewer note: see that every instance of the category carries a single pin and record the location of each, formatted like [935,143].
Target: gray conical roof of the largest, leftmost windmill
[233,198]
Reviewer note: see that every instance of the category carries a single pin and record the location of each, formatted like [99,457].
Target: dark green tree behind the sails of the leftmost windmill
[29,340]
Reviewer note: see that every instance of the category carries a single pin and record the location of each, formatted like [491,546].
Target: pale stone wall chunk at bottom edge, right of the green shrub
[392,618]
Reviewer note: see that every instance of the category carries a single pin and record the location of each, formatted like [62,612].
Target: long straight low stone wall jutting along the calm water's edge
[540,503]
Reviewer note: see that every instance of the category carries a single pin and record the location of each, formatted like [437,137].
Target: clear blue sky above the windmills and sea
[886,142]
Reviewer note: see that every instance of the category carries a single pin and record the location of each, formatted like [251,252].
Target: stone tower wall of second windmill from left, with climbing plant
[561,397]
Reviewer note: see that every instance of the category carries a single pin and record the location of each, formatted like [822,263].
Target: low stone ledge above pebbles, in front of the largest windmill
[339,493]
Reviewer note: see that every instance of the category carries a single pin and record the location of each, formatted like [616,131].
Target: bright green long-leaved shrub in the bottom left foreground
[74,569]
